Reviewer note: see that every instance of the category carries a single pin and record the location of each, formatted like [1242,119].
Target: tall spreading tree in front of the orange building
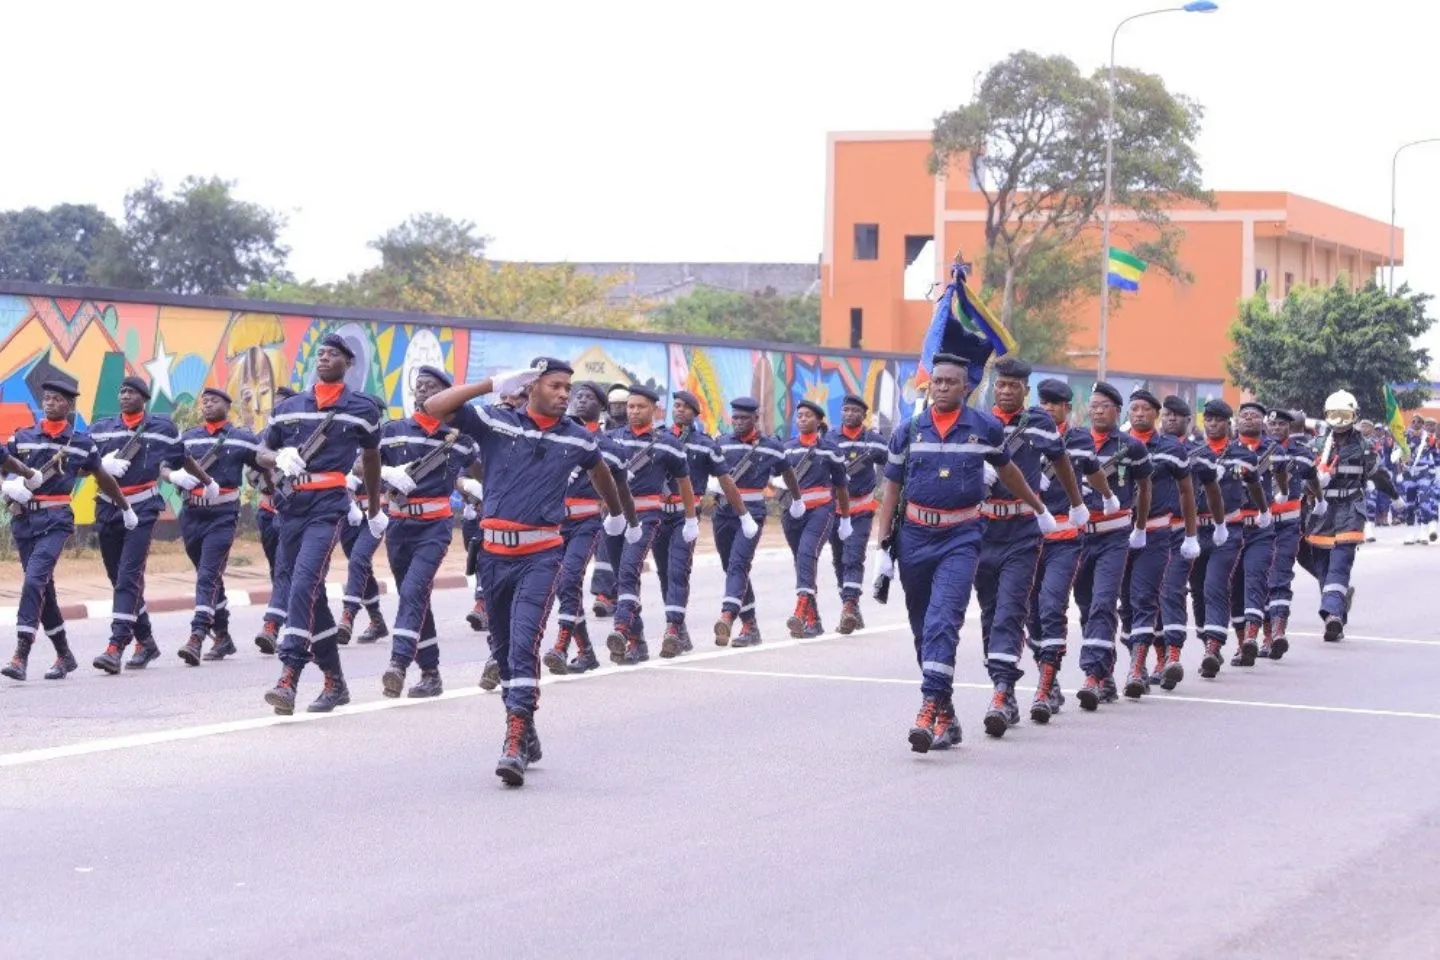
[1033,137]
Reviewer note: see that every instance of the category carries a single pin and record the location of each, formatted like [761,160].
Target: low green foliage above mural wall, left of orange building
[761,316]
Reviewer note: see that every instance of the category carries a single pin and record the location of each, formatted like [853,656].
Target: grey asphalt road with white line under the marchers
[737,804]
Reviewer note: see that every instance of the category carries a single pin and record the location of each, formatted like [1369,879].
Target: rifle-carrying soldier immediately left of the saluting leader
[421,461]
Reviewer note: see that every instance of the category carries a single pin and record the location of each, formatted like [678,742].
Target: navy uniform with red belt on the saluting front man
[528,473]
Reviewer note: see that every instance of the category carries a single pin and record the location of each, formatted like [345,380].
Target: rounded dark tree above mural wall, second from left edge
[201,240]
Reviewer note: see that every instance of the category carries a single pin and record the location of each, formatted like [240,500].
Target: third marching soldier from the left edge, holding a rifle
[208,523]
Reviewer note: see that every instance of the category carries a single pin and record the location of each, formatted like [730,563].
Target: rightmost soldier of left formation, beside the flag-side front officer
[865,453]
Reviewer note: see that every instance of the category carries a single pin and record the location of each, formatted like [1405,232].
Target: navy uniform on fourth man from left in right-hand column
[1107,549]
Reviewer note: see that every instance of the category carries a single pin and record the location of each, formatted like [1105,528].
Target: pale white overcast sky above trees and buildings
[665,132]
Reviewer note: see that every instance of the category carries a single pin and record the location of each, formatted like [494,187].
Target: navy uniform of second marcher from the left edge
[125,552]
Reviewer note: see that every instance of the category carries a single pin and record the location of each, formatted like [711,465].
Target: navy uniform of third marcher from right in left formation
[752,463]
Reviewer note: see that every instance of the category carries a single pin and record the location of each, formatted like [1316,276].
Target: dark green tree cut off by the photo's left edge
[61,245]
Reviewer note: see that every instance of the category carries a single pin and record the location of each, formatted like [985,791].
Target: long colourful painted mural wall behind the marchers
[182,350]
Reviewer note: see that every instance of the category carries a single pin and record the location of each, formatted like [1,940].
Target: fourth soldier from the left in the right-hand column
[1117,527]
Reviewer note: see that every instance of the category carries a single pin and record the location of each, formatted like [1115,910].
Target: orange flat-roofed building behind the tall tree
[892,230]
